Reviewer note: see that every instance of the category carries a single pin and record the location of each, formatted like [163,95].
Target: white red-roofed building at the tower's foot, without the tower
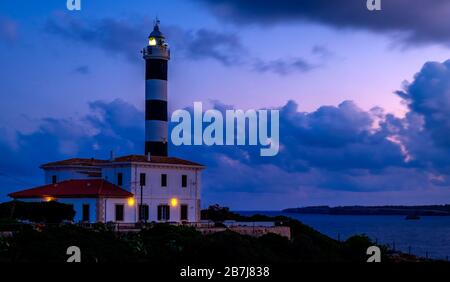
[110,191]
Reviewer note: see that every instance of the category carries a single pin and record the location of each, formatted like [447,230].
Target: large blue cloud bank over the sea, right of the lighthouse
[344,148]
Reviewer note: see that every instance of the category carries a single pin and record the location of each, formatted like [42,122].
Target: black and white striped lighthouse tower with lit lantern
[156,55]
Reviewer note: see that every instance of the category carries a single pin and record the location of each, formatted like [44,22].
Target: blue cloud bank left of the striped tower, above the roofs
[109,126]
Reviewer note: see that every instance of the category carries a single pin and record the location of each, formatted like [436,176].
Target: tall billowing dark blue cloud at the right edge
[426,128]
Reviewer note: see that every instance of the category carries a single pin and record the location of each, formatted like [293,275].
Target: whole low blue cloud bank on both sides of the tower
[339,149]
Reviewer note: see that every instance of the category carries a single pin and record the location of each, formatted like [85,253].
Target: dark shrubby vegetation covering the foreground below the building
[159,243]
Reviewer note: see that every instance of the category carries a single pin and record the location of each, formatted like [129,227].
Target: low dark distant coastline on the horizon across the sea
[430,210]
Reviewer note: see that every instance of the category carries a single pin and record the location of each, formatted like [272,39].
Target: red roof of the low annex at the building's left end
[92,188]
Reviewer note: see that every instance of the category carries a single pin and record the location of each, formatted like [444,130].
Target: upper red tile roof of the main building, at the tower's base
[124,159]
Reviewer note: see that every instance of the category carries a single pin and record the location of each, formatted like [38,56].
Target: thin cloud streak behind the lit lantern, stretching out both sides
[125,39]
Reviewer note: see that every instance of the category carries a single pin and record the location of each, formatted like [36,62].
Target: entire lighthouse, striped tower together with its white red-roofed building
[149,187]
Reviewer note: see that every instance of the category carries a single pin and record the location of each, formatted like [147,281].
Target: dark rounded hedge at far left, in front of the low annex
[48,212]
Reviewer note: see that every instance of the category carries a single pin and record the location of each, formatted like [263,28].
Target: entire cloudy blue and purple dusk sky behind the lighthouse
[72,85]
